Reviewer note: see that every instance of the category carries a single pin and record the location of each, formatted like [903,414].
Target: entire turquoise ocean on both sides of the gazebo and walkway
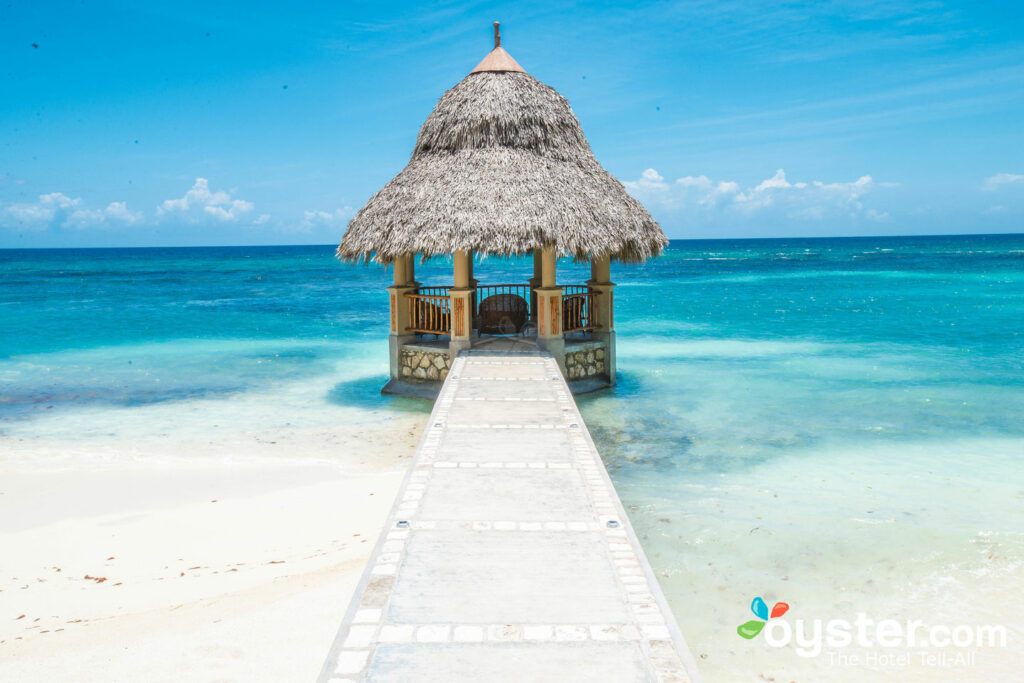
[834,423]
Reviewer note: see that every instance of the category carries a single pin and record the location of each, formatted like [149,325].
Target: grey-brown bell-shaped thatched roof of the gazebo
[501,166]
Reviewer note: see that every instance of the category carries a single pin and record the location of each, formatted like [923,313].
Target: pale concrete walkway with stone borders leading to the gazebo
[508,557]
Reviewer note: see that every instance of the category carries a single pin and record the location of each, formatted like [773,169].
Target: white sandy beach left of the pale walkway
[172,571]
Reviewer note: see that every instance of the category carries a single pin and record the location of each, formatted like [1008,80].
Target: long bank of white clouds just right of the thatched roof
[802,201]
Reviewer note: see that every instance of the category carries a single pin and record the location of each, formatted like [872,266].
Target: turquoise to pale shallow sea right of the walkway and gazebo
[834,424]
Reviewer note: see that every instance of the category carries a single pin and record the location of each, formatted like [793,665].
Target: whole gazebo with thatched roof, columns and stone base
[502,167]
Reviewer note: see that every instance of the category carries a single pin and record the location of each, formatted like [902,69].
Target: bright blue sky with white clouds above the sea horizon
[190,123]
